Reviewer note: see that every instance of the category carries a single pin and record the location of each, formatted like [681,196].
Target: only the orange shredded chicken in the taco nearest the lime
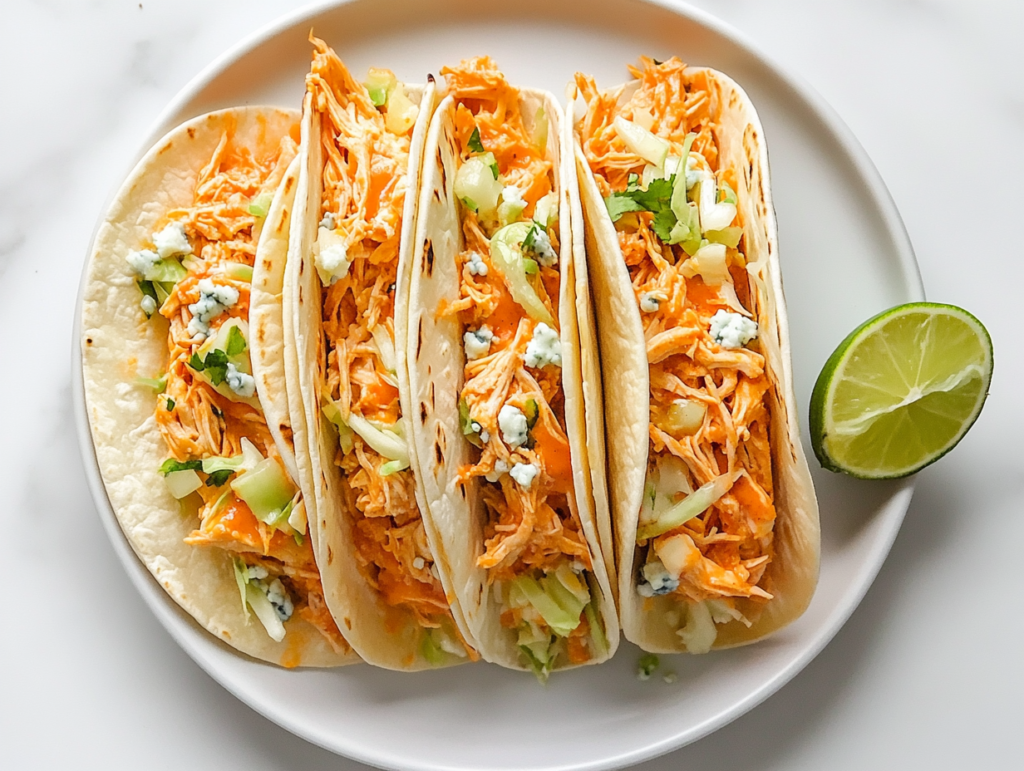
[729,547]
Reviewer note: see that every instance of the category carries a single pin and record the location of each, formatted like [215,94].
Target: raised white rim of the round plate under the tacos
[186,632]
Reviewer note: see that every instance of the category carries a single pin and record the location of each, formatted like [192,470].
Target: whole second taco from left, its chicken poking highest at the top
[355,216]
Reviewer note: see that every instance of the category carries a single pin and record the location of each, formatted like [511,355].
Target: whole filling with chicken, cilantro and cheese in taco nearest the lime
[706,527]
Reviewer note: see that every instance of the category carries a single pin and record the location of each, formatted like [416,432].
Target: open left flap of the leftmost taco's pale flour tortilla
[120,345]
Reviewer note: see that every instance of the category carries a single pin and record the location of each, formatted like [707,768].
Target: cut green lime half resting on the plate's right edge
[902,391]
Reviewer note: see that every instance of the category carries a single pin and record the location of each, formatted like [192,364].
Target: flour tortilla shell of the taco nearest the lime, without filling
[794,571]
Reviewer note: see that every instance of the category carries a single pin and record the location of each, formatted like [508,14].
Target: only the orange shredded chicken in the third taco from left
[532,529]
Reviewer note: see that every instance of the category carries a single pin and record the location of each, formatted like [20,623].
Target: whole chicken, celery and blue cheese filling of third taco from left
[513,401]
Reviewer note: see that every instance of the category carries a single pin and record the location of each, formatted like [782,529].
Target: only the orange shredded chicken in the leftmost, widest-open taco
[196,420]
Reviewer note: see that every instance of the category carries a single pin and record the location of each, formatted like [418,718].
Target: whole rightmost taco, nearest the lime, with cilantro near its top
[714,509]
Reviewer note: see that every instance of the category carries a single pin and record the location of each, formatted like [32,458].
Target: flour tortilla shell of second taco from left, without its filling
[383,635]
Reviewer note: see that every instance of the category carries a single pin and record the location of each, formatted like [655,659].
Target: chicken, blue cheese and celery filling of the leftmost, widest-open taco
[196,273]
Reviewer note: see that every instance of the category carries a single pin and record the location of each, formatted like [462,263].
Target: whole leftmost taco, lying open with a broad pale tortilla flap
[184,373]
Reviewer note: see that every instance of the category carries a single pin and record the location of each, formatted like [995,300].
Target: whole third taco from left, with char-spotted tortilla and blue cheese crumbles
[497,379]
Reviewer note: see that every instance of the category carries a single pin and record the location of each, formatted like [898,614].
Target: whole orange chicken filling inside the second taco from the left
[366,134]
